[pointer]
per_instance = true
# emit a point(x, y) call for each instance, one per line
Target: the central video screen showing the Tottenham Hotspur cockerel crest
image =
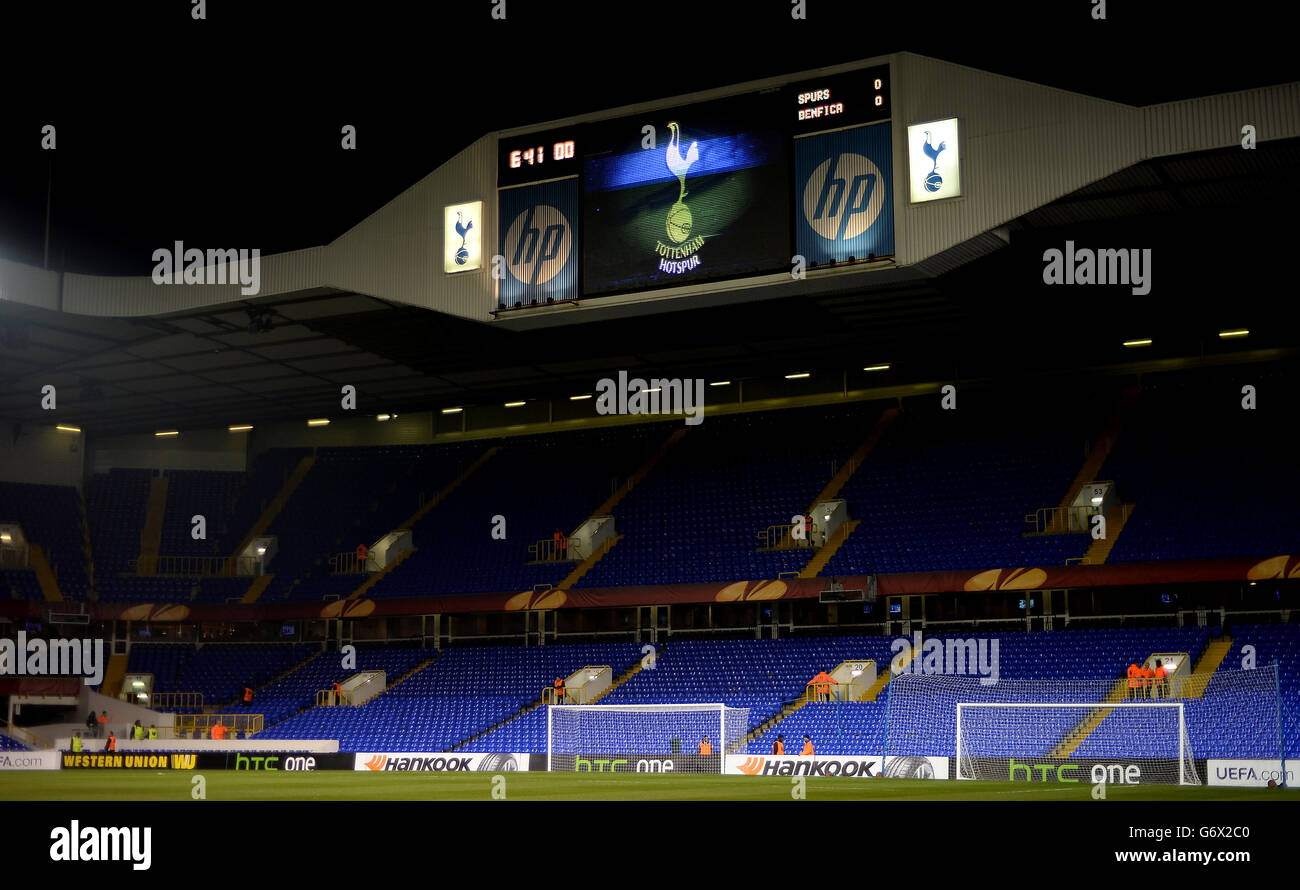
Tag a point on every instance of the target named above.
point(687, 196)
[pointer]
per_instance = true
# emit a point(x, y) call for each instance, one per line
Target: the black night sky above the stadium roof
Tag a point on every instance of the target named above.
point(227, 132)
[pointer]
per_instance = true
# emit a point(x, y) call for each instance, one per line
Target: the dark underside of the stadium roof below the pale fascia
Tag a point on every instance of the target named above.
point(205, 368)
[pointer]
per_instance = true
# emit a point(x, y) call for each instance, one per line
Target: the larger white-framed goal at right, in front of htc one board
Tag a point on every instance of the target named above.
point(1145, 741)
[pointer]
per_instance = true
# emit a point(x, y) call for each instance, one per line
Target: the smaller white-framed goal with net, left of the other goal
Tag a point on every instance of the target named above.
point(643, 737)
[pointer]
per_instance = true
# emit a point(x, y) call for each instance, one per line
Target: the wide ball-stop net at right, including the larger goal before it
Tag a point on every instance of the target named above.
point(1087, 732)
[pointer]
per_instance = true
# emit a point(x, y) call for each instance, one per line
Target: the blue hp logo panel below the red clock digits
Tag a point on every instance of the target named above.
point(539, 244)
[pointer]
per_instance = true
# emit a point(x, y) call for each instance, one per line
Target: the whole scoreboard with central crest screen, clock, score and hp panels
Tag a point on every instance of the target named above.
point(720, 190)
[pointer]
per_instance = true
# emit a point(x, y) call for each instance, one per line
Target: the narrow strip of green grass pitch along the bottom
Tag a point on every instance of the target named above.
point(223, 785)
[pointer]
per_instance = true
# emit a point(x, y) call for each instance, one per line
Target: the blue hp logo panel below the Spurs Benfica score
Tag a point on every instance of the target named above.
point(844, 196)
